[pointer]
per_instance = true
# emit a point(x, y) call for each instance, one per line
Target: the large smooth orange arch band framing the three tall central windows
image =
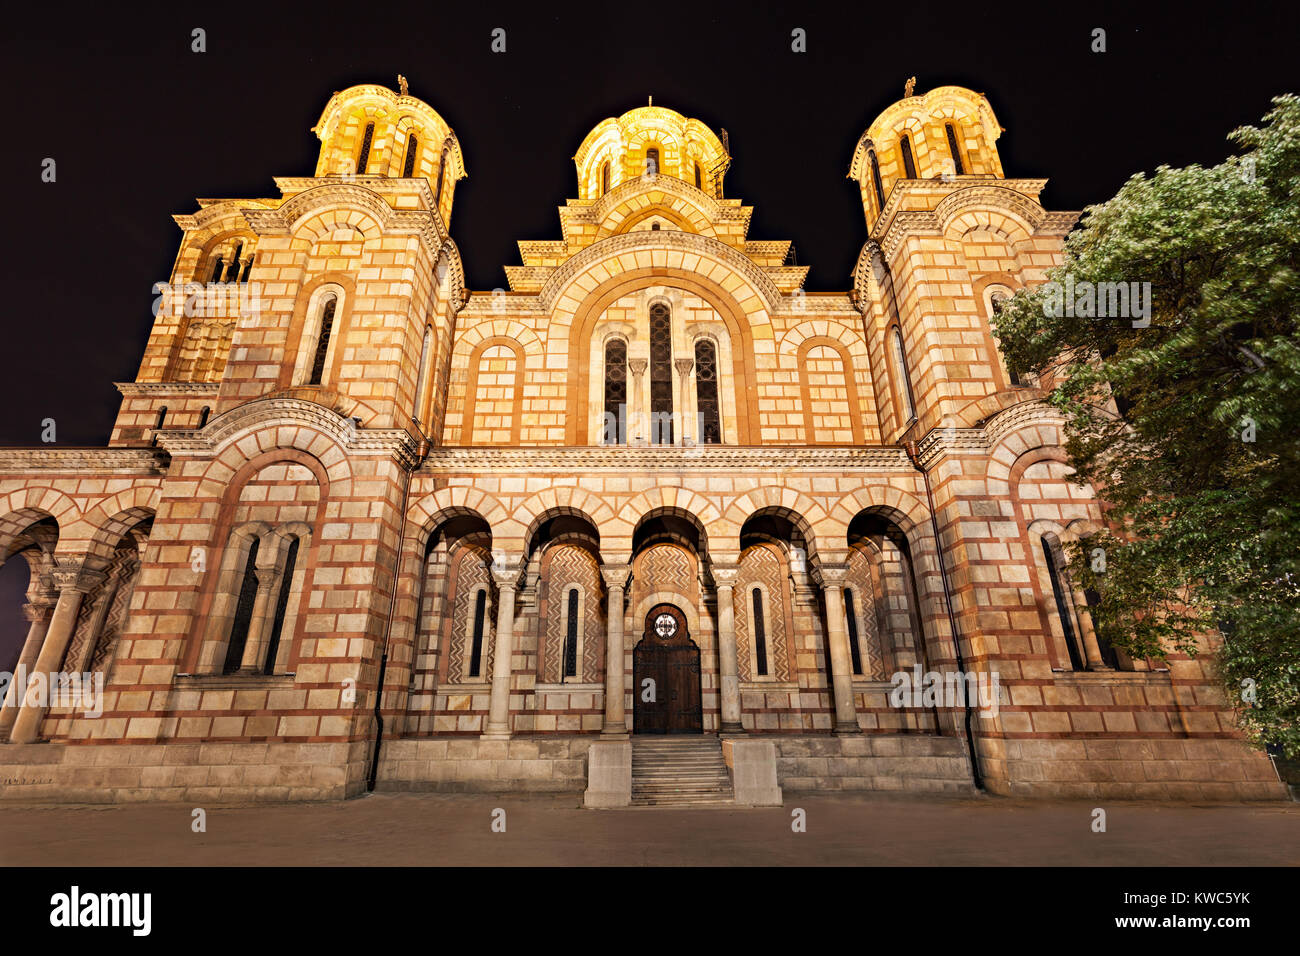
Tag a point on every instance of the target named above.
point(733, 314)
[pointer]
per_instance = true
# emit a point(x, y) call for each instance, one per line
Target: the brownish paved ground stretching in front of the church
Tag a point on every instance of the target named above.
point(432, 829)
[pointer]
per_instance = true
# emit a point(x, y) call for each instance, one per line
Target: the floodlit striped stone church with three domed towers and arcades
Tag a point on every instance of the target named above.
point(652, 525)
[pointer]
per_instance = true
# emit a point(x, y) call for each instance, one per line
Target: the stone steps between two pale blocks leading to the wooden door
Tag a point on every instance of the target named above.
point(681, 772)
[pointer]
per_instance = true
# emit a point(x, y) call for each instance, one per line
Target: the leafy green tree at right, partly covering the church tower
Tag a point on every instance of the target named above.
point(1201, 470)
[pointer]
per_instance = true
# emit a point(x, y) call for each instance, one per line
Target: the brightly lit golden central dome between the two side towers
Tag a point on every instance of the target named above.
point(651, 141)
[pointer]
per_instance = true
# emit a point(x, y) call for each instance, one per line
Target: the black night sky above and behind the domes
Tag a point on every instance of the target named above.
point(140, 127)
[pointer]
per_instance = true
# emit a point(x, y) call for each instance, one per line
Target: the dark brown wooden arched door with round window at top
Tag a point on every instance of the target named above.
point(669, 657)
